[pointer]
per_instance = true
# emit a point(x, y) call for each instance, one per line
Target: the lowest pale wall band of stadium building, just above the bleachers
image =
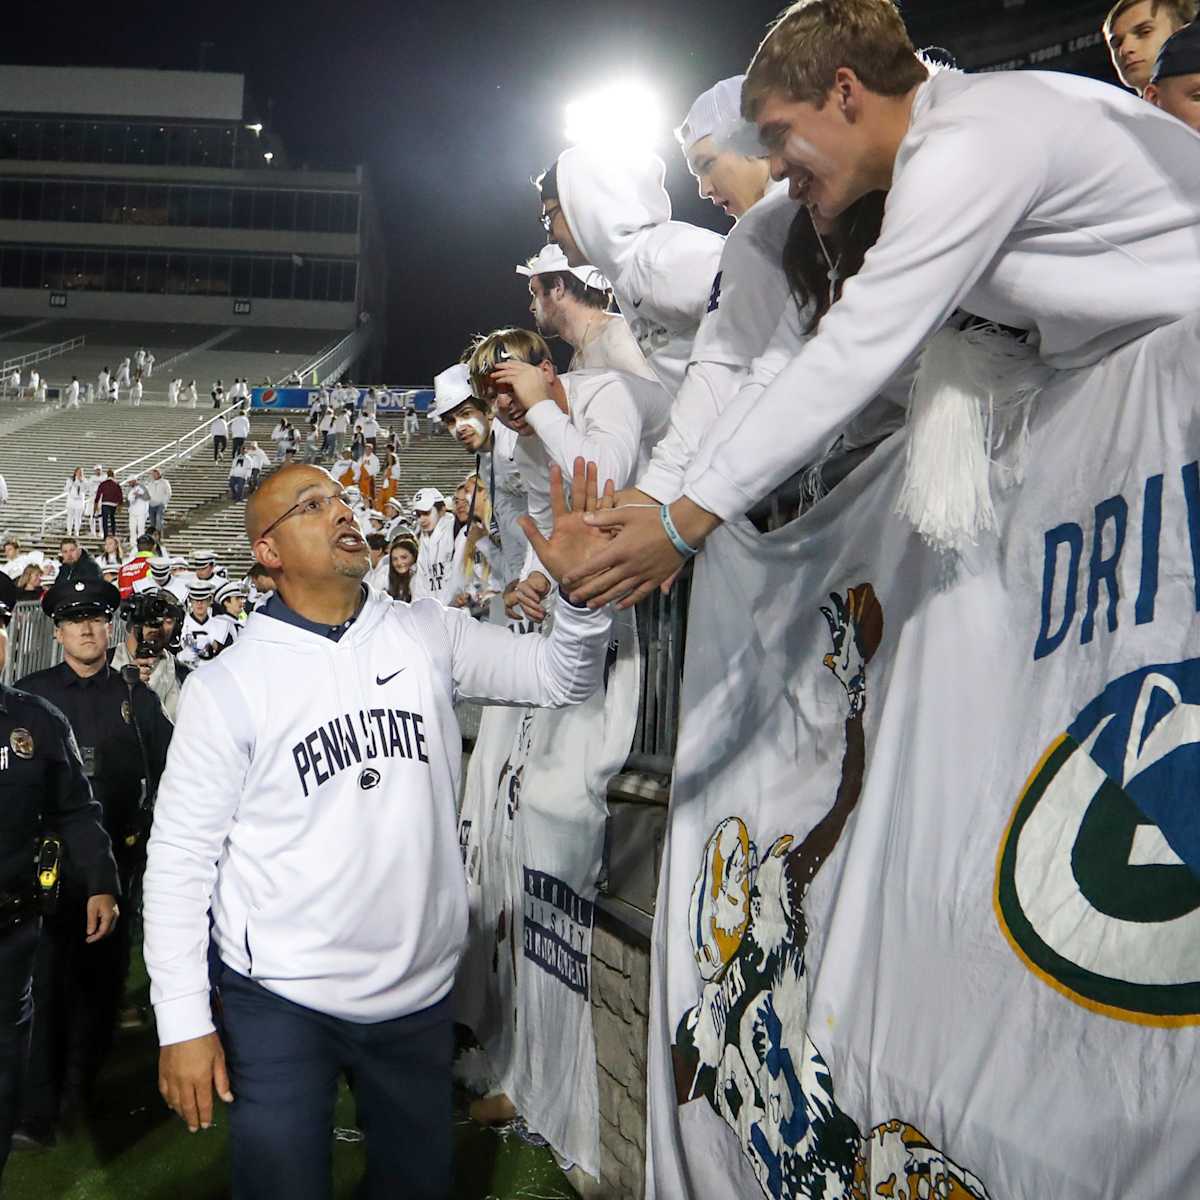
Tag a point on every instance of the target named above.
point(178, 310)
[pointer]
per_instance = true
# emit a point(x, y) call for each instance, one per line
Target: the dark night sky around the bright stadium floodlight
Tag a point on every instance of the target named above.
point(452, 106)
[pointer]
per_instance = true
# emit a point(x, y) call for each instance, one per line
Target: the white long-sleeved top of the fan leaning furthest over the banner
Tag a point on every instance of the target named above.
point(1041, 201)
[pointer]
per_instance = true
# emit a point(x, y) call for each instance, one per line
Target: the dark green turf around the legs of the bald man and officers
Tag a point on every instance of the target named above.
point(133, 1149)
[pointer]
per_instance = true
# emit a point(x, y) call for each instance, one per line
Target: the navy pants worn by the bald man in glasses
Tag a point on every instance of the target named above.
point(285, 1063)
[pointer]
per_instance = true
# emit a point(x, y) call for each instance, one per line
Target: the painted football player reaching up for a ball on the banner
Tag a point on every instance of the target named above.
point(745, 1047)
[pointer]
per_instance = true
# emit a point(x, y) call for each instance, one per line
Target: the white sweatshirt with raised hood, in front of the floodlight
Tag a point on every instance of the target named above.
point(662, 271)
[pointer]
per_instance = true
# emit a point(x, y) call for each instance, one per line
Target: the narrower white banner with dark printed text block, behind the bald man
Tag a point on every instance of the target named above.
point(532, 831)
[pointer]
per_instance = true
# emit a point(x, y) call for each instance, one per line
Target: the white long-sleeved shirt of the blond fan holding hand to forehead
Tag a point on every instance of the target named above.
point(613, 419)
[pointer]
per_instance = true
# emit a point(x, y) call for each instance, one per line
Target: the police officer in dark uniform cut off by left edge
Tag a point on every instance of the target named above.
point(43, 791)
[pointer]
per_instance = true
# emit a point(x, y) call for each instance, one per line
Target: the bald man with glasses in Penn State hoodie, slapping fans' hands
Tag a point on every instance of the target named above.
point(309, 805)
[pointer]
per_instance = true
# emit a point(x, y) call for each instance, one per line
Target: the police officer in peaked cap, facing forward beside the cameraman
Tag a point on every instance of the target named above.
point(123, 736)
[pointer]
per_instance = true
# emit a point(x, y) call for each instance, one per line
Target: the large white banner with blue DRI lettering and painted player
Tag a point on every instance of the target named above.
point(929, 916)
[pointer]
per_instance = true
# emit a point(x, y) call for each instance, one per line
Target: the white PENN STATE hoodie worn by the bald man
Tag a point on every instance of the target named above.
point(309, 799)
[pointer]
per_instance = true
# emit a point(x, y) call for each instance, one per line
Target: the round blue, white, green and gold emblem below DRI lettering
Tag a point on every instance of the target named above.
point(1097, 887)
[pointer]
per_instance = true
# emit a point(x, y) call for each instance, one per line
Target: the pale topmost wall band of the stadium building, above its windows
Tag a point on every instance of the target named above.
point(111, 92)
